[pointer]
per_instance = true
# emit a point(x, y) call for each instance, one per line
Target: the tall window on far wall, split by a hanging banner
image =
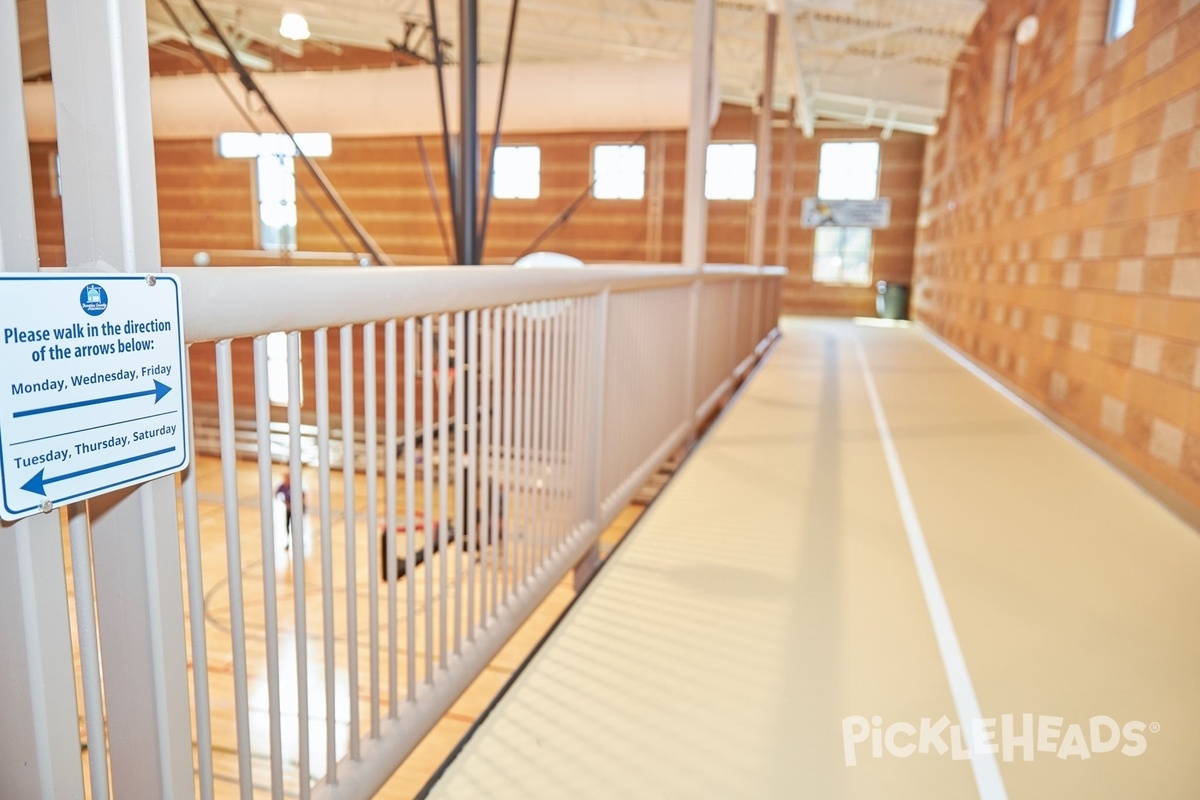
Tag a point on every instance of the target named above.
point(849, 171)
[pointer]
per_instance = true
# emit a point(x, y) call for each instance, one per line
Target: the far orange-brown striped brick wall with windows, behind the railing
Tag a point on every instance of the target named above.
point(208, 203)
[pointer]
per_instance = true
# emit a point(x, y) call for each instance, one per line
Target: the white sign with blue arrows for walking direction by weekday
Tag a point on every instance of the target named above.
point(93, 390)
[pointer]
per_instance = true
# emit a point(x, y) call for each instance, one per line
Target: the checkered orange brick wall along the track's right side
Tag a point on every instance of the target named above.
point(1063, 252)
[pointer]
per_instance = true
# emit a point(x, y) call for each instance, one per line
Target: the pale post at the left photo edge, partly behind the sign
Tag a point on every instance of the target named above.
point(40, 725)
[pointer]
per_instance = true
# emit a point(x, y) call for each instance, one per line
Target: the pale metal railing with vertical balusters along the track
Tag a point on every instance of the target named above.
point(508, 414)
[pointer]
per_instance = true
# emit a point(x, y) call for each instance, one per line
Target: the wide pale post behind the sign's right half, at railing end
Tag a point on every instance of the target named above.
point(99, 57)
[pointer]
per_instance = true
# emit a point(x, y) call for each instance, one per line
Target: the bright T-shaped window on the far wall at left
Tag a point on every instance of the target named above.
point(275, 179)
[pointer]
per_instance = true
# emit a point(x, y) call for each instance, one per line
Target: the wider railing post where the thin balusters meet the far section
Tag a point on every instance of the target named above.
point(597, 341)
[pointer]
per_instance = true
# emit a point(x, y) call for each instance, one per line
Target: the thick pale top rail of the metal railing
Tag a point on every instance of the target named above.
point(236, 302)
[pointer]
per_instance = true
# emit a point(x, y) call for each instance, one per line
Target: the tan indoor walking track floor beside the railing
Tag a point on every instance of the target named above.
point(877, 576)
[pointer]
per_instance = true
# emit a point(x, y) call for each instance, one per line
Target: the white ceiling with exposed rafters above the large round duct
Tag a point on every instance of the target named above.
point(877, 52)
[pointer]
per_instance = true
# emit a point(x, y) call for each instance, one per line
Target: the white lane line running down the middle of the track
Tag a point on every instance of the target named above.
point(983, 765)
